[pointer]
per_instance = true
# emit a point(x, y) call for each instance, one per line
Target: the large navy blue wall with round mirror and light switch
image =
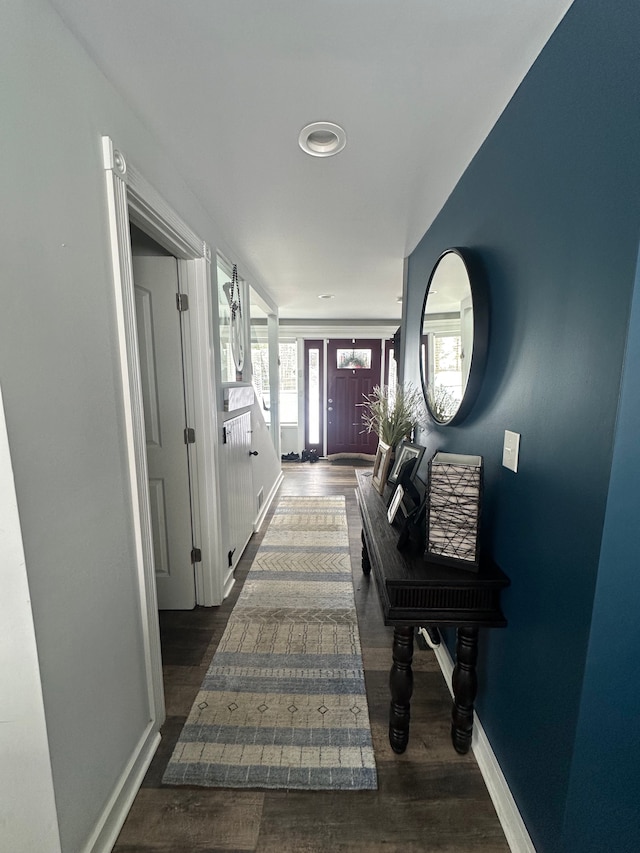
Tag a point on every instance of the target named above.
point(551, 206)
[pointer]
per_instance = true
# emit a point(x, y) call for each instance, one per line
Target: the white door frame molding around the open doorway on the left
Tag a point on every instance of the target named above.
point(131, 198)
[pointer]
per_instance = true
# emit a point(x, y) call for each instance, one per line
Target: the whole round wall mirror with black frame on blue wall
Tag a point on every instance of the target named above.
point(454, 338)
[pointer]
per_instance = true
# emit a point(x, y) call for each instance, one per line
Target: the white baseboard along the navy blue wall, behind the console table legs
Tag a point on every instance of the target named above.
point(512, 824)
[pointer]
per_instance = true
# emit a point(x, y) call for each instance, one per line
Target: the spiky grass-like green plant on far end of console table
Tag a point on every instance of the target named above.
point(392, 416)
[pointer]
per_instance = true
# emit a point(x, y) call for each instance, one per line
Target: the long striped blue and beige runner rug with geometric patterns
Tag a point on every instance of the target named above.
point(283, 704)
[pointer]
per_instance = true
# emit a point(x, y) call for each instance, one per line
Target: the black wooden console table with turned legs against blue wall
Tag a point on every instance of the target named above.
point(414, 592)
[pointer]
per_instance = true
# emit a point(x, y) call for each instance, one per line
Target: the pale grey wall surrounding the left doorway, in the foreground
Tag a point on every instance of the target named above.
point(59, 374)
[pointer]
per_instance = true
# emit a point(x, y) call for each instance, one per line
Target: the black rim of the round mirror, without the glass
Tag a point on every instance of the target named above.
point(480, 303)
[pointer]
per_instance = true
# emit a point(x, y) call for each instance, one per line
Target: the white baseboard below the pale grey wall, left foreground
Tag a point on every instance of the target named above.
point(108, 827)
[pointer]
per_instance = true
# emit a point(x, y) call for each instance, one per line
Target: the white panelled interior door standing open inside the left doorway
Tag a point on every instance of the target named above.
point(161, 368)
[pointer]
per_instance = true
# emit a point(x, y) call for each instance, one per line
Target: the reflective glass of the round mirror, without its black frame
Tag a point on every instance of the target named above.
point(447, 337)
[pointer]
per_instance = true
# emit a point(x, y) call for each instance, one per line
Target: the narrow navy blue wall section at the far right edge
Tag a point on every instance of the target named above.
point(607, 741)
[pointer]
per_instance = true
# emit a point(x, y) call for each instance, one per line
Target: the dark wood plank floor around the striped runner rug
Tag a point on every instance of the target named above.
point(428, 799)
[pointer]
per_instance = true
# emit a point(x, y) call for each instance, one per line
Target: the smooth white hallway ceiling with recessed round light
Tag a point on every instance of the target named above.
point(228, 85)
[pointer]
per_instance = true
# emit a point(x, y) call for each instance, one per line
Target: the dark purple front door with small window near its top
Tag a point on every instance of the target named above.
point(353, 369)
